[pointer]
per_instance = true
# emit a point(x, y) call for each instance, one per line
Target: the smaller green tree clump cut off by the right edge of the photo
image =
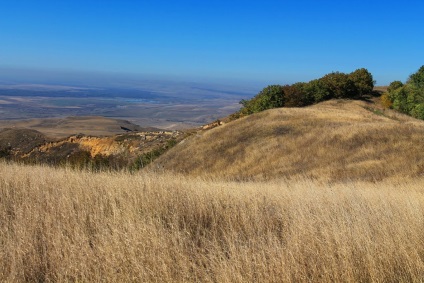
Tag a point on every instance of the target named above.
point(409, 97)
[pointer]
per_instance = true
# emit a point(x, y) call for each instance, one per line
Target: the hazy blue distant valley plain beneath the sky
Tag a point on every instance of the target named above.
point(166, 105)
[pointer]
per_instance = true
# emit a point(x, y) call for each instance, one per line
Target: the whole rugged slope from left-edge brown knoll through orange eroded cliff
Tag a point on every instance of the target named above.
point(112, 152)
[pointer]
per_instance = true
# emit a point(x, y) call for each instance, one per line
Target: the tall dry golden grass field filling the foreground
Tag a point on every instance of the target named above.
point(62, 225)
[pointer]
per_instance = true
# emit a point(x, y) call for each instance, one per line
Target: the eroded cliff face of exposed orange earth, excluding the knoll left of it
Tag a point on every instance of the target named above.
point(82, 149)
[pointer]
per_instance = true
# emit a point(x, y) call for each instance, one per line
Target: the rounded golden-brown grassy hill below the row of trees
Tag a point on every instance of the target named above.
point(334, 140)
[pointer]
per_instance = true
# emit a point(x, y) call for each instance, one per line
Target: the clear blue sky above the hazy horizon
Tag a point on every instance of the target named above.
point(266, 41)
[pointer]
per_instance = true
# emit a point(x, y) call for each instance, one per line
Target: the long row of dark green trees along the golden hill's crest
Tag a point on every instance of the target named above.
point(333, 85)
